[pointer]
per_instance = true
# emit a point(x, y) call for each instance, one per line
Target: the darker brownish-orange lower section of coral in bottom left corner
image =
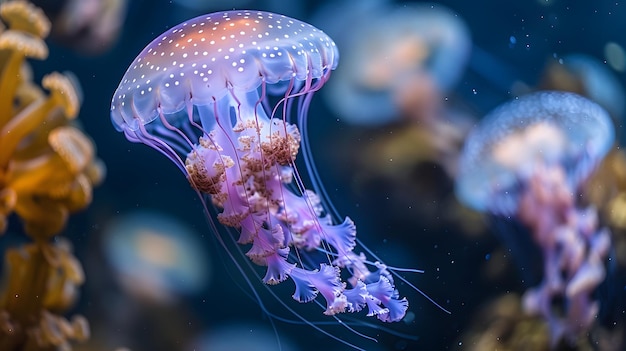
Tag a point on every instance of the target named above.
point(42, 278)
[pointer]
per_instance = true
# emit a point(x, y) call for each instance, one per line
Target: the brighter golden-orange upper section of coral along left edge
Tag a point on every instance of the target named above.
point(47, 167)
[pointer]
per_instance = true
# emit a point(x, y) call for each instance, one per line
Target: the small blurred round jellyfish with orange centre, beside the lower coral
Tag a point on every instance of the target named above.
point(155, 257)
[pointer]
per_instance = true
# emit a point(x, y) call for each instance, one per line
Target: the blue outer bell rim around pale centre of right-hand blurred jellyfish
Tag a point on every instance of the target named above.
point(481, 181)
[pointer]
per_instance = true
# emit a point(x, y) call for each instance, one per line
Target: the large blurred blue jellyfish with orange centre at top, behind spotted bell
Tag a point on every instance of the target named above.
point(401, 61)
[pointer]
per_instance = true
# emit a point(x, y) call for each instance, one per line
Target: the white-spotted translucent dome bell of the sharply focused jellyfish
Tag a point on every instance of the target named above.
point(301, 53)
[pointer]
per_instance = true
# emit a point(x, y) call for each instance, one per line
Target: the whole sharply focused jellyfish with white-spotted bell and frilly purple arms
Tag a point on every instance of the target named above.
point(215, 94)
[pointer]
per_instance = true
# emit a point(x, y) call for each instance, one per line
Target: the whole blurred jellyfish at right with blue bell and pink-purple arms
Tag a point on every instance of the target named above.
point(528, 160)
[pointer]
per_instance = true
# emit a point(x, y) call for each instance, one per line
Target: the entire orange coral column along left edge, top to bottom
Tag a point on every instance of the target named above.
point(47, 170)
